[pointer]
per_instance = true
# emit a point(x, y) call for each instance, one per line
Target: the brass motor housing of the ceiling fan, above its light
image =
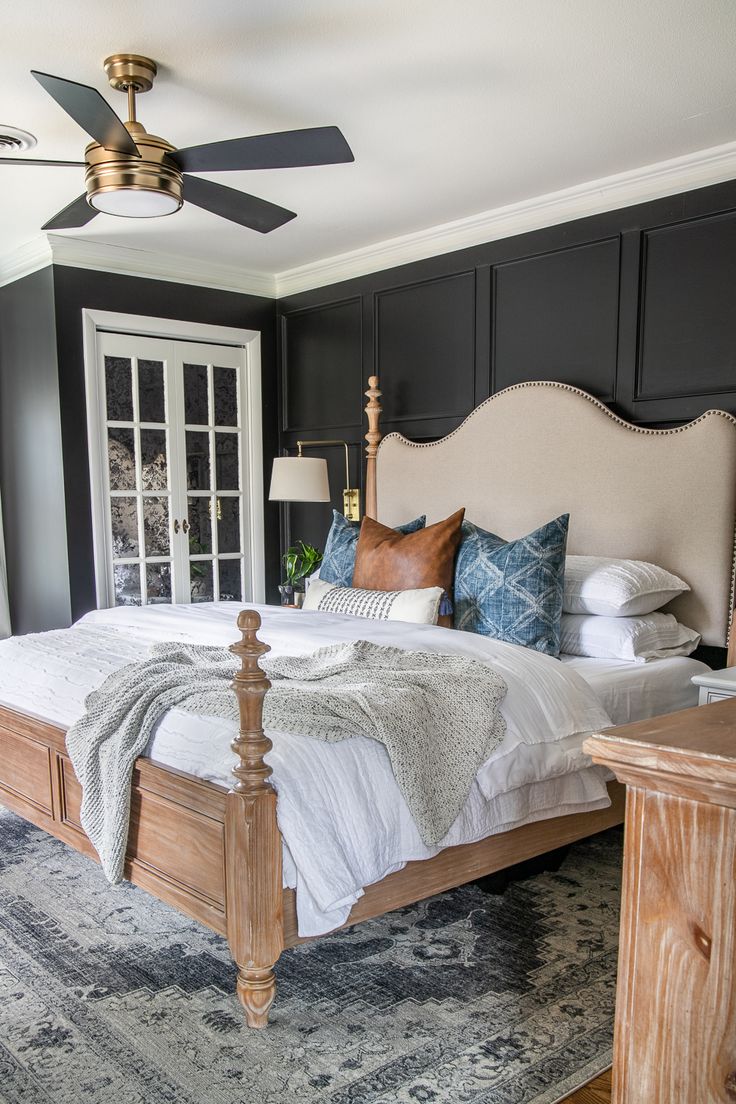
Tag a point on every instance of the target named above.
point(154, 172)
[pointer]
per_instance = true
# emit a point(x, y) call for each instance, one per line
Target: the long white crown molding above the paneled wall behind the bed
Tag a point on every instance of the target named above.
point(624, 189)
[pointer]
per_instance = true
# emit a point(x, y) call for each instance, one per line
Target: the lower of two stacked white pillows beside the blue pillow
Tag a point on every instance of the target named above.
point(656, 636)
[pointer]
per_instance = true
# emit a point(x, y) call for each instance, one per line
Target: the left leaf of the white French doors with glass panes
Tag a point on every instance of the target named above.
point(140, 469)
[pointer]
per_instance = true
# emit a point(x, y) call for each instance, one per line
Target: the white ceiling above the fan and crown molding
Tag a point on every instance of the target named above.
point(452, 109)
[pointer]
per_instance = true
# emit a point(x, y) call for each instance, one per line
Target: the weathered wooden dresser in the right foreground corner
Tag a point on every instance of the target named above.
point(676, 1010)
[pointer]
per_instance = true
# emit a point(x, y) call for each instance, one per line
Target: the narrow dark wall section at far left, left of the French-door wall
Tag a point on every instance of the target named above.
point(31, 476)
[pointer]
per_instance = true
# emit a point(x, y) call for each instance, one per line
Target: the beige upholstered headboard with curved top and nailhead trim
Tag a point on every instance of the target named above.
point(539, 450)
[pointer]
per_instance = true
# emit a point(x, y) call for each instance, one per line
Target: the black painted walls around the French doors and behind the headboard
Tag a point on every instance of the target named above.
point(635, 306)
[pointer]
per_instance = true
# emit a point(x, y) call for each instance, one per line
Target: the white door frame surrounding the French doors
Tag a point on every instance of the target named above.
point(95, 322)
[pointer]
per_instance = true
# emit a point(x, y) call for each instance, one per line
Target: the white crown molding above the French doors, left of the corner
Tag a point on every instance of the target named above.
point(82, 253)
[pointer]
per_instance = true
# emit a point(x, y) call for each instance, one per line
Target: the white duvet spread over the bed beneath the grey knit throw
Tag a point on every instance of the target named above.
point(344, 820)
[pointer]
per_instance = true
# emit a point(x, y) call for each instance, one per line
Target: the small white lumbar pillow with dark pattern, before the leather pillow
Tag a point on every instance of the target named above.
point(421, 608)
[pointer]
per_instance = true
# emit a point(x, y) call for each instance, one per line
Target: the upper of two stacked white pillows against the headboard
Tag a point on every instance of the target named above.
point(617, 588)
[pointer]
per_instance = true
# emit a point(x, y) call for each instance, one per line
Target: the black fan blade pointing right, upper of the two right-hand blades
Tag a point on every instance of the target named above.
point(287, 151)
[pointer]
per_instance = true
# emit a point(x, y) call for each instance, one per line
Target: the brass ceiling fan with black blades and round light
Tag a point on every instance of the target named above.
point(136, 175)
